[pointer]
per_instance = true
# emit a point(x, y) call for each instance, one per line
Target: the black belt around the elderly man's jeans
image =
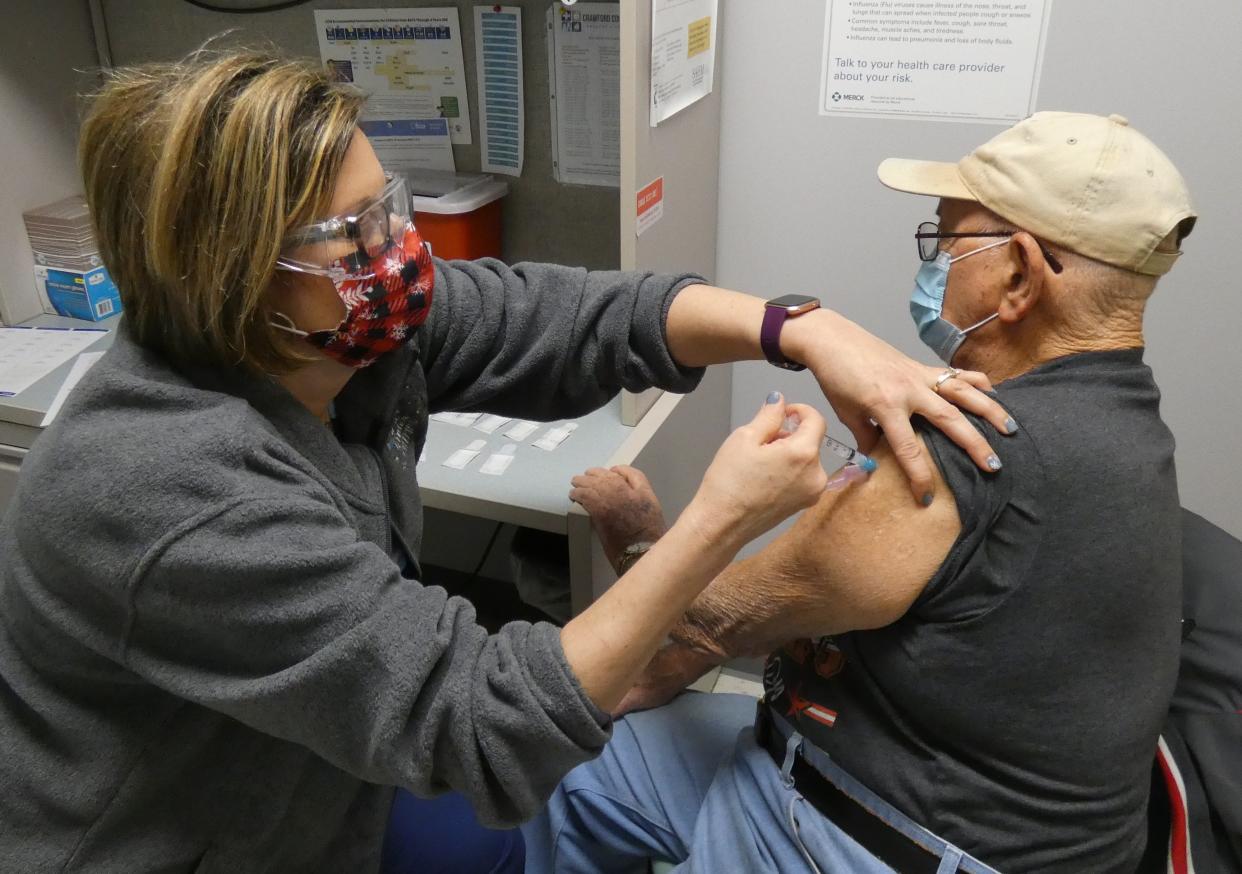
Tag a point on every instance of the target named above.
point(873, 834)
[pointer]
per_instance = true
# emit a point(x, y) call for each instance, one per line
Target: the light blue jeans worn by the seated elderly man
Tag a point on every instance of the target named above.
point(687, 784)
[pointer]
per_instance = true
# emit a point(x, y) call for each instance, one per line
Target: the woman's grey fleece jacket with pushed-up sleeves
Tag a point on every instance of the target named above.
point(209, 660)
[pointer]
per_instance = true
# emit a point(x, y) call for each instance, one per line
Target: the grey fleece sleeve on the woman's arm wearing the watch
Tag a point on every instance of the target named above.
point(546, 342)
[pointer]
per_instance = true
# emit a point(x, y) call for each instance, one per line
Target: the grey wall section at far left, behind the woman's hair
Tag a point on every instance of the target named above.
point(44, 45)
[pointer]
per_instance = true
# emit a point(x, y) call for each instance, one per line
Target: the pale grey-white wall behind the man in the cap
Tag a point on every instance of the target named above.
point(802, 209)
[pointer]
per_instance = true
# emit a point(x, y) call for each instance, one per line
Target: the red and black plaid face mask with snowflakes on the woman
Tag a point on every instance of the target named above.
point(386, 301)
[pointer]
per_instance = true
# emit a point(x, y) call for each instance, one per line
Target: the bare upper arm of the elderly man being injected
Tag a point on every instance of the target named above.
point(865, 554)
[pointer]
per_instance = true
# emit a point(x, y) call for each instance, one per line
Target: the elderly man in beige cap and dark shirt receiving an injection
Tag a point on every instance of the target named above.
point(973, 687)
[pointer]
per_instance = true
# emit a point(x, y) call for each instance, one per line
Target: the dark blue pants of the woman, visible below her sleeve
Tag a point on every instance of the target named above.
point(443, 836)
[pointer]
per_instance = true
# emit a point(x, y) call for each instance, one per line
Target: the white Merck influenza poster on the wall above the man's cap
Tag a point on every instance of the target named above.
point(968, 61)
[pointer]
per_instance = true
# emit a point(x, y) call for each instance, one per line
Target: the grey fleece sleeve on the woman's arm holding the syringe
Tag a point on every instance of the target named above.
point(274, 613)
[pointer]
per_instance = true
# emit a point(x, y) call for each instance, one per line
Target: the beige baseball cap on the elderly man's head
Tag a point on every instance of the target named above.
point(1092, 184)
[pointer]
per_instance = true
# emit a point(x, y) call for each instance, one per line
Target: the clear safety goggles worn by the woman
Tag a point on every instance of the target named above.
point(347, 246)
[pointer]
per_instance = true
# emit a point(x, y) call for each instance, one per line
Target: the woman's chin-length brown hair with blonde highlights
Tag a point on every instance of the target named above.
point(196, 172)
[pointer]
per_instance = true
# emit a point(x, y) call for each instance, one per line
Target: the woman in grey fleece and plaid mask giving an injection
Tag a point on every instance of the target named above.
point(237, 660)
